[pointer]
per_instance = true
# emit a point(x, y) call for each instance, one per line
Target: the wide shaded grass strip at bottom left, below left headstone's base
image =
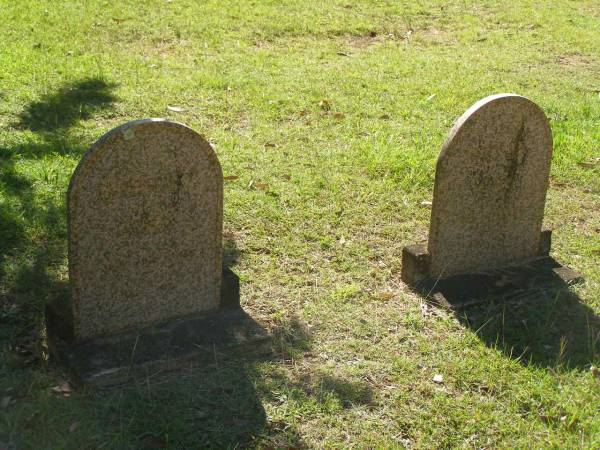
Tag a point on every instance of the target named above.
point(215, 406)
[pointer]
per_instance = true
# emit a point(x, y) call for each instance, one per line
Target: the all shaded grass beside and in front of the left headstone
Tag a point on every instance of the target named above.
point(217, 406)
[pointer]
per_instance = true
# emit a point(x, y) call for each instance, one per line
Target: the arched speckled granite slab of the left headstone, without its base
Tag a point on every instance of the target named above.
point(145, 221)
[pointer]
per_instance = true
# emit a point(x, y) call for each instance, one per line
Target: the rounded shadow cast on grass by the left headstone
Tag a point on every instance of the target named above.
point(215, 406)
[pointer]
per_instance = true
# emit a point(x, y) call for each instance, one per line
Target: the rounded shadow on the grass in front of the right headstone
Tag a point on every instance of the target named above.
point(551, 328)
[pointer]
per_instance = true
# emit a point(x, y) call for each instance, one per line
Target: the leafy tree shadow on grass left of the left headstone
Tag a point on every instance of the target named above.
point(33, 221)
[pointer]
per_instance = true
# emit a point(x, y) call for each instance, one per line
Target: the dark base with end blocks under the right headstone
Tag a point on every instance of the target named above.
point(513, 283)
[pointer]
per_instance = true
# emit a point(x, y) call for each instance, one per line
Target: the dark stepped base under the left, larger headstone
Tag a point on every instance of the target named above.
point(187, 342)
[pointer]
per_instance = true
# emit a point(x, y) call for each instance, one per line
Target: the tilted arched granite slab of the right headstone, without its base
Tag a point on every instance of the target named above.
point(490, 187)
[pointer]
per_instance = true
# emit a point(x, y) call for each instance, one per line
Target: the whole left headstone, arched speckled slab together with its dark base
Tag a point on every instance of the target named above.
point(147, 288)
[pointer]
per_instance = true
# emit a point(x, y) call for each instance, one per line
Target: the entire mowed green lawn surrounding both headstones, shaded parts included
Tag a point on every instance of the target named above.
point(331, 115)
